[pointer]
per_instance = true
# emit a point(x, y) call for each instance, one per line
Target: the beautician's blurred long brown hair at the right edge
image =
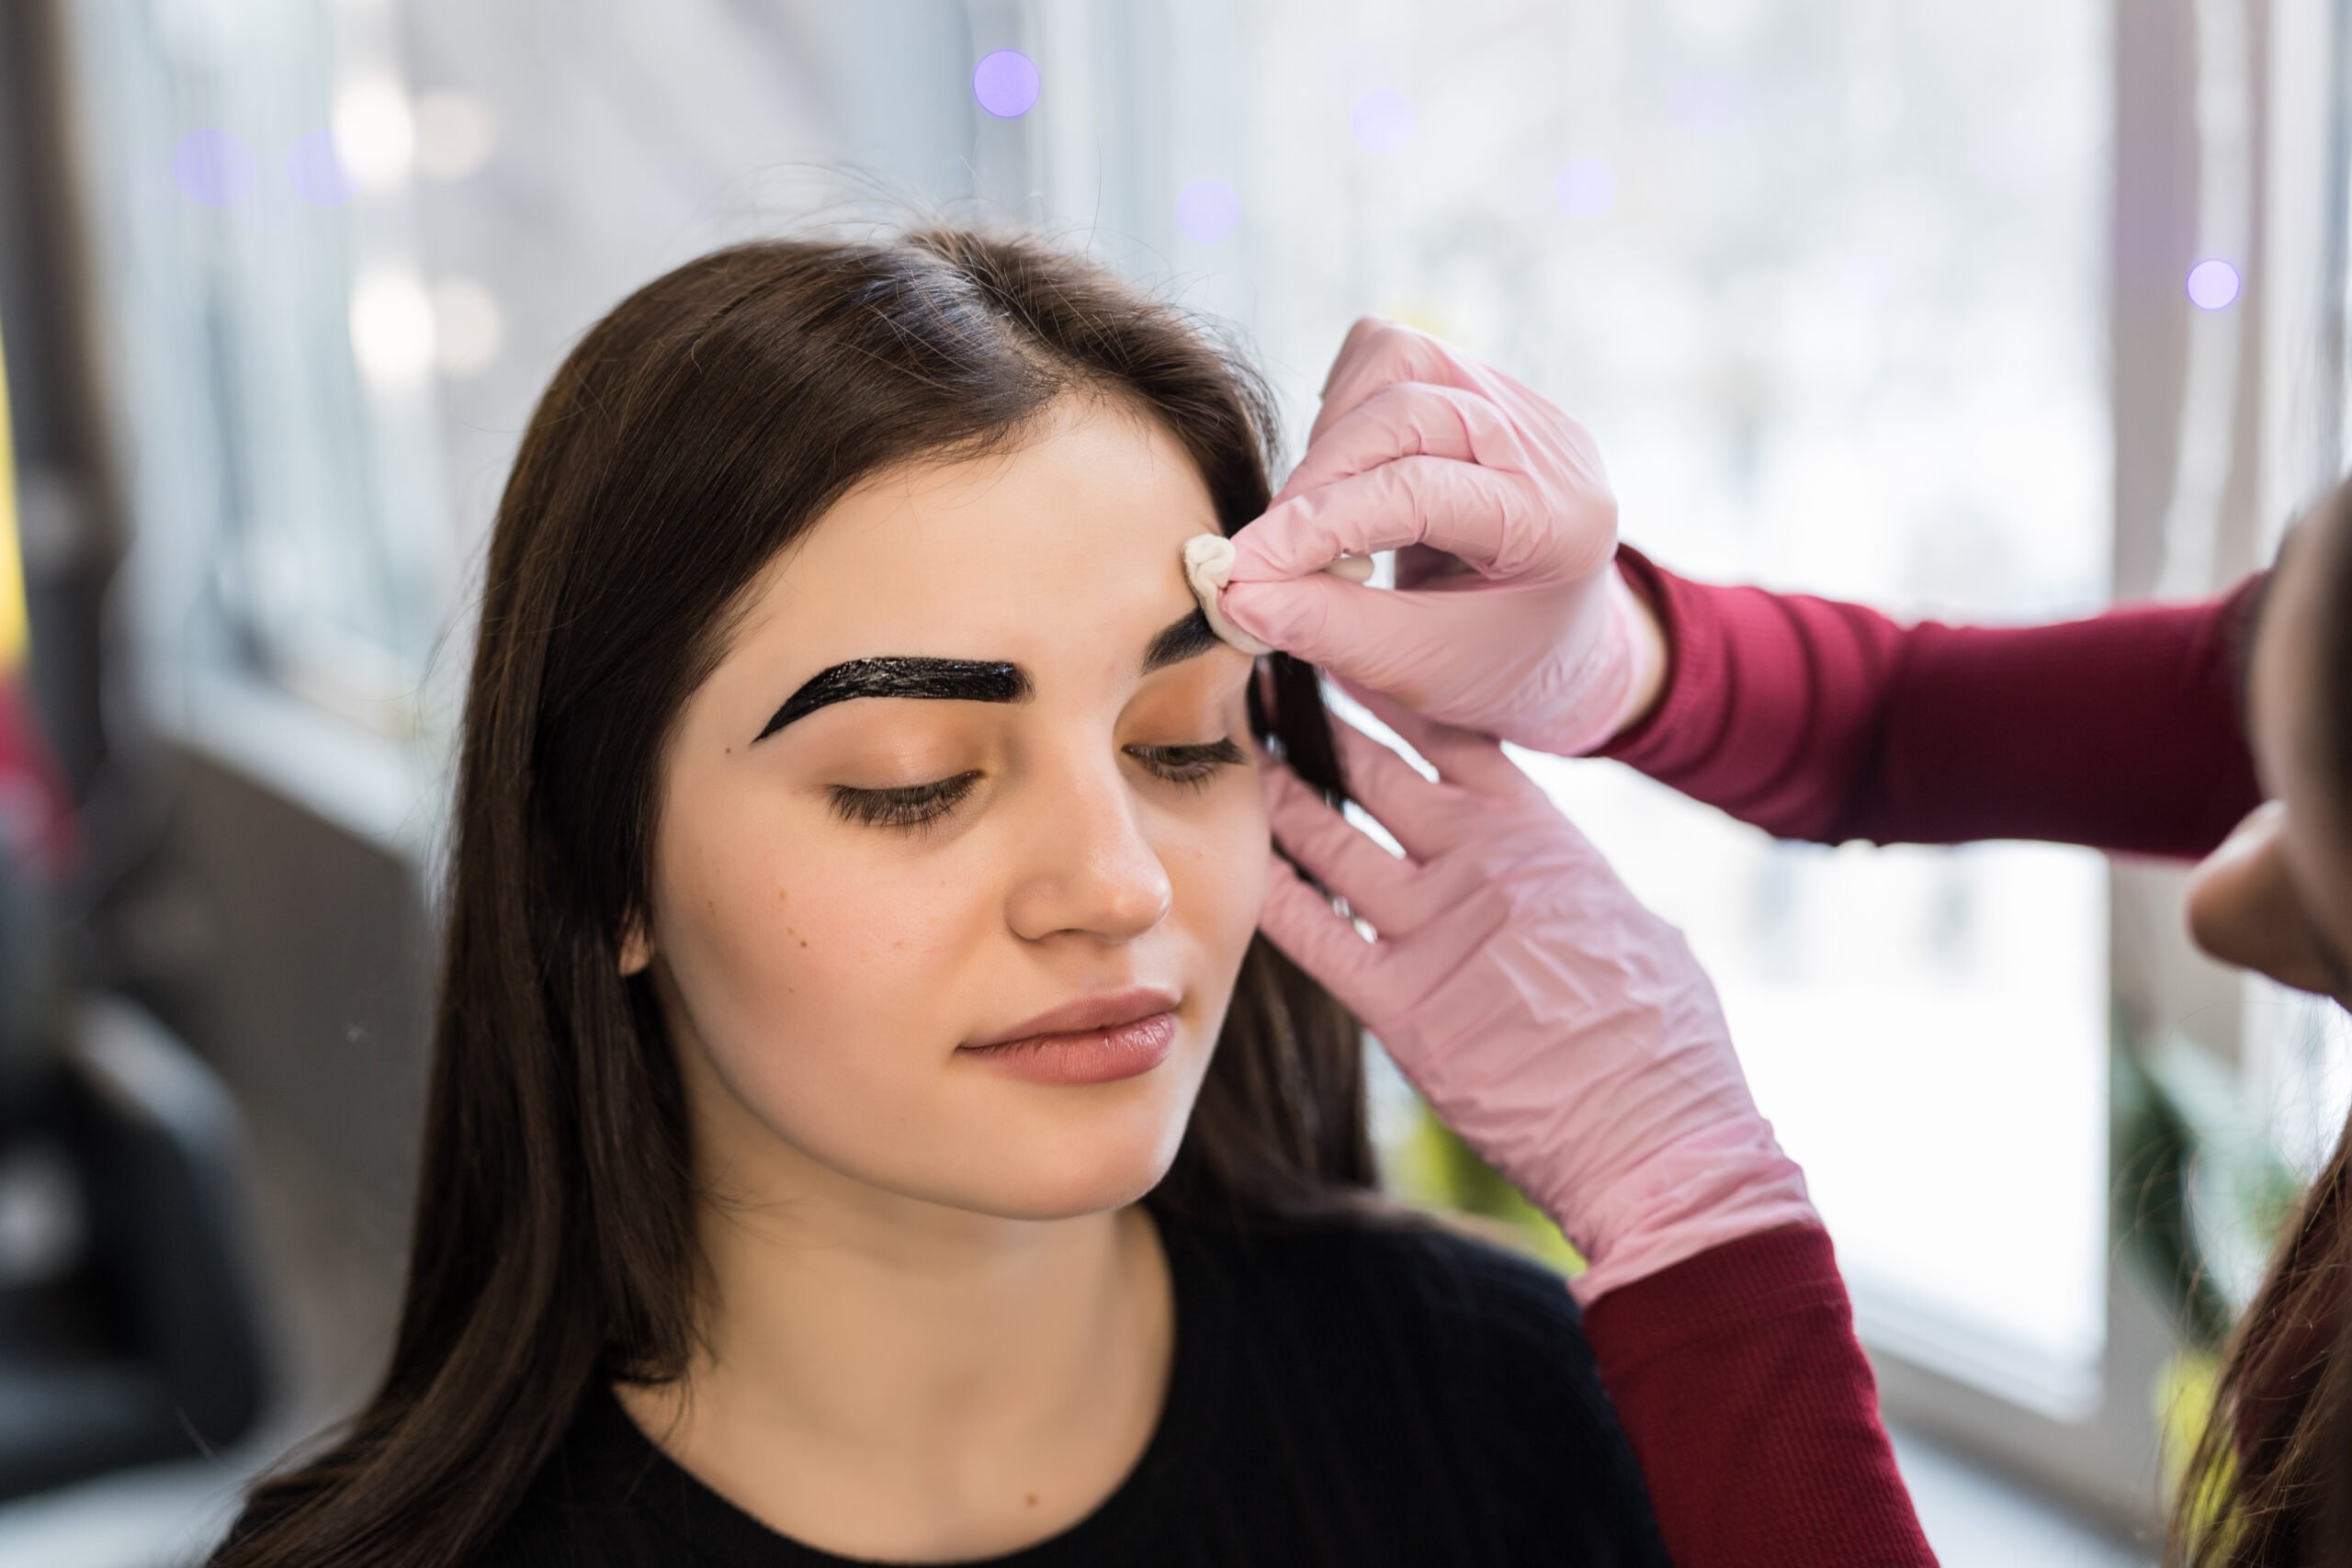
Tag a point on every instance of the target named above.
point(2271, 1477)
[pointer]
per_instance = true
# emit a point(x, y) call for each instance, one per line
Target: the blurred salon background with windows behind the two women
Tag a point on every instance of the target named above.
point(1984, 309)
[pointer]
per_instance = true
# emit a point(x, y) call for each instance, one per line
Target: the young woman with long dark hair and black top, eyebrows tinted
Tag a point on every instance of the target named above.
point(864, 1123)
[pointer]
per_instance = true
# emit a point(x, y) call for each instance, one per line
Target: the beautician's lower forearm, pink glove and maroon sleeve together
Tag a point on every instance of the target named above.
point(1572, 1038)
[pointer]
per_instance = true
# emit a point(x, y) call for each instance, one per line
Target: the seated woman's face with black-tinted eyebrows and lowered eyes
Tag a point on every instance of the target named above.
point(961, 845)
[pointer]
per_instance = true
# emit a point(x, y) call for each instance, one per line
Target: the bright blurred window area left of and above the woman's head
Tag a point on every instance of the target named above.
point(345, 246)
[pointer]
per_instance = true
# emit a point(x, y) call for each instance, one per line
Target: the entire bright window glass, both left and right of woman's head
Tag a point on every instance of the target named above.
point(1826, 279)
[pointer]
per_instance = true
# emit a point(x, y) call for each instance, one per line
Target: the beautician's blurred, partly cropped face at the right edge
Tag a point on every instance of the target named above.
point(2278, 897)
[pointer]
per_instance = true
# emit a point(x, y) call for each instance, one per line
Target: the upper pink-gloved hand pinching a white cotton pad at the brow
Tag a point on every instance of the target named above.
point(1509, 615)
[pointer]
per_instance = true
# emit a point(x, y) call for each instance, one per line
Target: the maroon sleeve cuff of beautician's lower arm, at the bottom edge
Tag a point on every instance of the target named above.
point(1753, 1409)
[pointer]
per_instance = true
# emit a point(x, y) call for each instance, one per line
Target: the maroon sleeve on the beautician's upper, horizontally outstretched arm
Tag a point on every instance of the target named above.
point(1819, 721)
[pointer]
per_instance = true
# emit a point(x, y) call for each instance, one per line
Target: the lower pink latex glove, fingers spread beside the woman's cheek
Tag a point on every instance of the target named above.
point(1544, 1014)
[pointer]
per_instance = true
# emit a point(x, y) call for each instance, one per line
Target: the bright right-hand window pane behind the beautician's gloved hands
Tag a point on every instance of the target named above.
point(1826, 286)
